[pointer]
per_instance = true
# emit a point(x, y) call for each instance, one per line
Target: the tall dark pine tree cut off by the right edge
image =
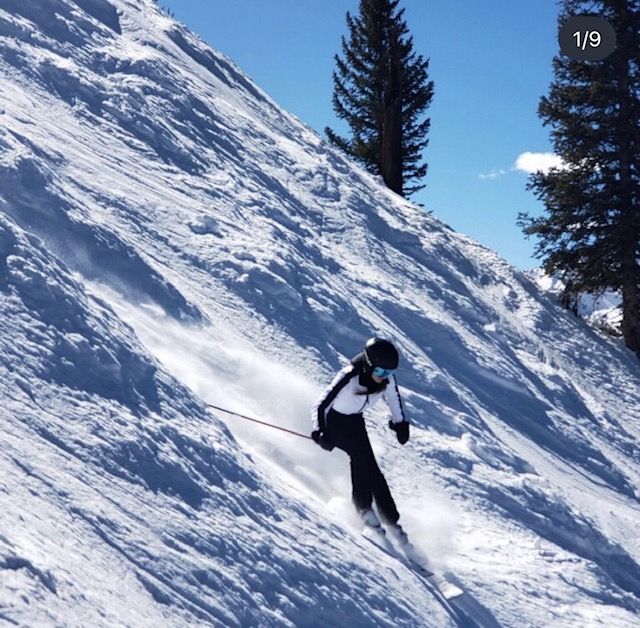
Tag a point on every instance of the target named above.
point(589, 234)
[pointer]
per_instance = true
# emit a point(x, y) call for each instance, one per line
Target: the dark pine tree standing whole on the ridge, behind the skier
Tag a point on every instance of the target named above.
point(382, 91)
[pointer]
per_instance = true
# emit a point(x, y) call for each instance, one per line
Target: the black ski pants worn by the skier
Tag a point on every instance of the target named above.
point(349, 433)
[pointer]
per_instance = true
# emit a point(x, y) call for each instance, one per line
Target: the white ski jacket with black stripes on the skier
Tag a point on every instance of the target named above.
point(346, 395)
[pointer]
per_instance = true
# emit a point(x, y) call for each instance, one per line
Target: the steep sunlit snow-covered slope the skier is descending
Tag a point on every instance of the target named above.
point(171, 238)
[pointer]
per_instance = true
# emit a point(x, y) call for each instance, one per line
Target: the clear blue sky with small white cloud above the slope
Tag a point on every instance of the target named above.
point(490, 62)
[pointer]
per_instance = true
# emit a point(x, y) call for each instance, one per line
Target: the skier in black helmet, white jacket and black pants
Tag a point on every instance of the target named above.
point(338, 421)
